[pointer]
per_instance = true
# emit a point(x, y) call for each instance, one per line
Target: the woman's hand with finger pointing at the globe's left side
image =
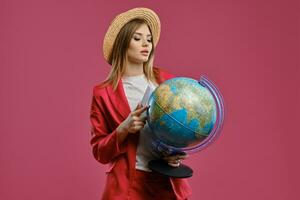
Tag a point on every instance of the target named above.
point(134, 122)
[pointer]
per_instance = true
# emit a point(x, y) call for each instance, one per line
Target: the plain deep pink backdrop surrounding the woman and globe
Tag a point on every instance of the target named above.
point(51, 57)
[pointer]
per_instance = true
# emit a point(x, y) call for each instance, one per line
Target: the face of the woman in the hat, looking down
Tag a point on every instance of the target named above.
point(140, 45)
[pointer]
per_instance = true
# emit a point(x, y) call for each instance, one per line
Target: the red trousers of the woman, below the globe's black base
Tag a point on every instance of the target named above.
point(148, 185)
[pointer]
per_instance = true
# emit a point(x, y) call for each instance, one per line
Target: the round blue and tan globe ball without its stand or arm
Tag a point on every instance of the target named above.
point(182, 113)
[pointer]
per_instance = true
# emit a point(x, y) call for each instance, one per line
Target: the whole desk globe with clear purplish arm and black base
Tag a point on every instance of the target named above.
point(184, 116)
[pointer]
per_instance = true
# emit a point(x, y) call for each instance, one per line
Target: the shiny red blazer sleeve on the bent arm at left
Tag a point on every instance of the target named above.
point(104, 142)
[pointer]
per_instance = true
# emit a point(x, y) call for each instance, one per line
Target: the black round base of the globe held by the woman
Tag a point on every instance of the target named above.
point(162, 167)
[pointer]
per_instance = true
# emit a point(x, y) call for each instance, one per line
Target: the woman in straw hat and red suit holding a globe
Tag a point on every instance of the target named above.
point(118, 126)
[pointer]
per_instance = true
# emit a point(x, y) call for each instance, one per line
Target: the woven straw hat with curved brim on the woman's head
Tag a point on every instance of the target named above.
point(120, 20)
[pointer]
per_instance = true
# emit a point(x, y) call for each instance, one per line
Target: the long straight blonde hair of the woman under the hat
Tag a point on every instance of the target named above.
point(118, 56)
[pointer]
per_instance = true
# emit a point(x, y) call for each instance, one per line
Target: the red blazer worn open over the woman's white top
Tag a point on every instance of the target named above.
point(108, 109)
